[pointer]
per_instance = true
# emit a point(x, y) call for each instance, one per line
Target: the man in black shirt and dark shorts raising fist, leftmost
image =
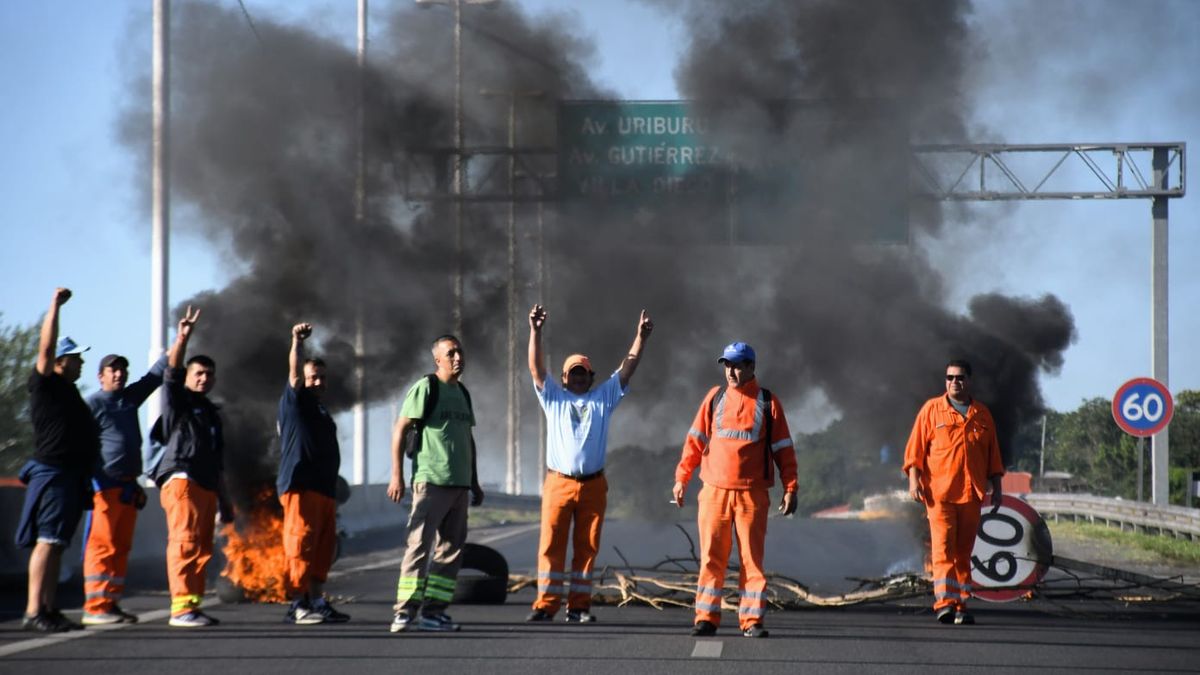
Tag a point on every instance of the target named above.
point(67, 445)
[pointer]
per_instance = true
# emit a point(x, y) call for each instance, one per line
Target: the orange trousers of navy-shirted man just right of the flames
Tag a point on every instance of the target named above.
point(310, 533)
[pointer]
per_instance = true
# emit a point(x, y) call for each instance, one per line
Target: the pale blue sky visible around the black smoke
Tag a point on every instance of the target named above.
point(1052, 73)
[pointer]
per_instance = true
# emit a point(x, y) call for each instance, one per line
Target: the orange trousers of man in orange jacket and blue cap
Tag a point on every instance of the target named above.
point(725, 515)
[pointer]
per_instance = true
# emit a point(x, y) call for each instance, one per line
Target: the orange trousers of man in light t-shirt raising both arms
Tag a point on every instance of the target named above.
point(566, 500)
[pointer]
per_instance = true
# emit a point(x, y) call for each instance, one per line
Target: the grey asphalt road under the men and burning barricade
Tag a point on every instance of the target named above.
point(903, 637)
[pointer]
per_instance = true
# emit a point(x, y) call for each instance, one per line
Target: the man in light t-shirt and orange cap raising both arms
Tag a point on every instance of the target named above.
point(575, 488)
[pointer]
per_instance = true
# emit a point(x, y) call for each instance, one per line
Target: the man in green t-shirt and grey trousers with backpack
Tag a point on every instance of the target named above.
point(443, 474)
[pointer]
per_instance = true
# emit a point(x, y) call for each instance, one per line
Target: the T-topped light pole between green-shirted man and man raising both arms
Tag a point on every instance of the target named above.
point(513, 481)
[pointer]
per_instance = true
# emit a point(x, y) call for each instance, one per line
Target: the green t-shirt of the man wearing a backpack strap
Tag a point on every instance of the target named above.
point(445, 458)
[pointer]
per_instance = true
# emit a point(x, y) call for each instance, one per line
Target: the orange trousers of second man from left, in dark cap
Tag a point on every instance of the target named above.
point(106, 554)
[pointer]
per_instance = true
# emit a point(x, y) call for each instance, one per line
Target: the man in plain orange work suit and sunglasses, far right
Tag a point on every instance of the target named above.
point(952, 456)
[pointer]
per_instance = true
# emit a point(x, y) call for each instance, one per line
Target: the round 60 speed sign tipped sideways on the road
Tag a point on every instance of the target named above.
point(1012, 552)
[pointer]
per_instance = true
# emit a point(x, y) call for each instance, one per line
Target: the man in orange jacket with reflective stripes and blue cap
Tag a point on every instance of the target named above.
point(739, 439)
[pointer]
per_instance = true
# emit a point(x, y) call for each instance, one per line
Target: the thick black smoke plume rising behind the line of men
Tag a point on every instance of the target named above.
point(265, 140)
